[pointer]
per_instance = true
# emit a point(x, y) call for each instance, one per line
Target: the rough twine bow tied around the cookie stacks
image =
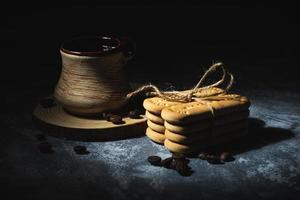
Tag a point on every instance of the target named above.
point(197, 93)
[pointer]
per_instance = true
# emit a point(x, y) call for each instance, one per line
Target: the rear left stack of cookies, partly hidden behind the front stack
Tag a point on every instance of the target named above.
point(156, 128)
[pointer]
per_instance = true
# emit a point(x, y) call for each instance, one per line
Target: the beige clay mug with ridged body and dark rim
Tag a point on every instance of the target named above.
point(92, 78)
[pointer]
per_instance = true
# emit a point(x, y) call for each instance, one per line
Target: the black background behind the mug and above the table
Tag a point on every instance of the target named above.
point(174, 38)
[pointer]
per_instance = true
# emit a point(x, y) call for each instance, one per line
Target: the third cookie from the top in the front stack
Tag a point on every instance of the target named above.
point(217, 131)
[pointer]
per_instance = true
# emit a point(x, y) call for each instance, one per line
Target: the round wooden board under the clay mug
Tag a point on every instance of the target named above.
point(57, 122)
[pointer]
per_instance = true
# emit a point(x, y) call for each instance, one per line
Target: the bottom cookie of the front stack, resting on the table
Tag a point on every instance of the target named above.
point(194, 147)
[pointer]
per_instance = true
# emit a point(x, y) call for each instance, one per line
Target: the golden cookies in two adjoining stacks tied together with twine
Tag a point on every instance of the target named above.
point(187, 127)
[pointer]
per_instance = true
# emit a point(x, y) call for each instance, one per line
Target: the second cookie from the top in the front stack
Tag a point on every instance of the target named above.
point(206, 123)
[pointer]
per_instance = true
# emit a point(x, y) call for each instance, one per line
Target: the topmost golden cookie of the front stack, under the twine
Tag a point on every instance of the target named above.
point(195, 111)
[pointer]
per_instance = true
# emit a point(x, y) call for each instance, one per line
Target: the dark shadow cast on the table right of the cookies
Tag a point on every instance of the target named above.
point(257, 137)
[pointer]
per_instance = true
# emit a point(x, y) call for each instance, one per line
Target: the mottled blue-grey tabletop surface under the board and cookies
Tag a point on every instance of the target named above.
point(266, 163)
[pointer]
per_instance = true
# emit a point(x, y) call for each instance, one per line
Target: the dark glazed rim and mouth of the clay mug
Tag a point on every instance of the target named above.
point(69, 46)
